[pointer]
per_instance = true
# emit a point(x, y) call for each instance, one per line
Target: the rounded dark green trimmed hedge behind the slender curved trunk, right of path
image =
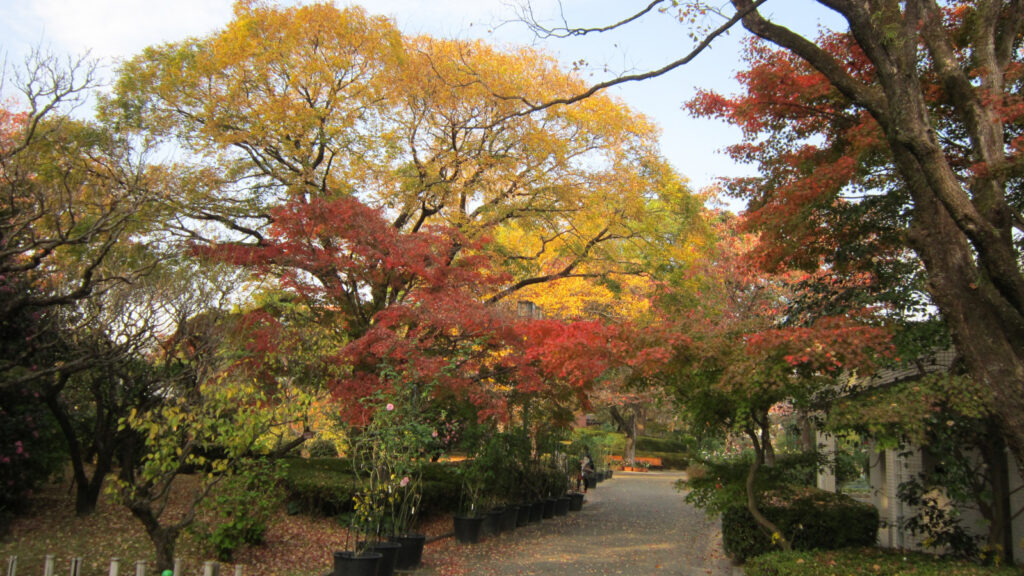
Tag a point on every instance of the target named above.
point(815, 520)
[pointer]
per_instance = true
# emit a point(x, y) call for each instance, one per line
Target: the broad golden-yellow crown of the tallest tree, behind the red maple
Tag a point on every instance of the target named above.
point(339, 104)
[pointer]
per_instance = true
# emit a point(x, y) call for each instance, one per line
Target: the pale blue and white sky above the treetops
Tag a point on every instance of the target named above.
point(118, 29)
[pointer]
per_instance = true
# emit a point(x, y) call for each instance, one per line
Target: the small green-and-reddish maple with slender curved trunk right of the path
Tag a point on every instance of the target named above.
point(751, 348)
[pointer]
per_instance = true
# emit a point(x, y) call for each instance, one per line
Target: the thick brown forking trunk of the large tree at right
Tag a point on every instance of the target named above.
point(962, 228)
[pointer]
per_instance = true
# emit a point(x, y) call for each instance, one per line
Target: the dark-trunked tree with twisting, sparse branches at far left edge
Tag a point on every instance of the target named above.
point(78, 208)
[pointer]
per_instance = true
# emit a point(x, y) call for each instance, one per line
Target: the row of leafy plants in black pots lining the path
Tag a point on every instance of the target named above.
point(508, 478)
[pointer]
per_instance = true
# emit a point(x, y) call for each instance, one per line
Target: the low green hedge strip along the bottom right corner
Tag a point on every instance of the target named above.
point(864, 562)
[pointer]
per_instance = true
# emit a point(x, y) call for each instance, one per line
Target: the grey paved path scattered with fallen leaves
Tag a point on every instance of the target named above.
point(635, 524)
